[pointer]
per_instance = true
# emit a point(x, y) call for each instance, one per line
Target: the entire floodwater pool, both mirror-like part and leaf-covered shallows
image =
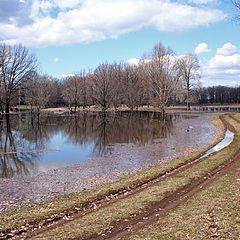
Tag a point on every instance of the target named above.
point(68, 153)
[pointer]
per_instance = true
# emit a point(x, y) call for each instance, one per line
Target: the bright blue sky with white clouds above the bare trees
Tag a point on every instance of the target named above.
point(68, 36)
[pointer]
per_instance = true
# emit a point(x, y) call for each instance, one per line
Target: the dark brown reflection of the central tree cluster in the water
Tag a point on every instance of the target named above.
point(140, 128)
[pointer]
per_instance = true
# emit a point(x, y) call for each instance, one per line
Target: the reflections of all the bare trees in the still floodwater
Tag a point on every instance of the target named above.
point(20, 134)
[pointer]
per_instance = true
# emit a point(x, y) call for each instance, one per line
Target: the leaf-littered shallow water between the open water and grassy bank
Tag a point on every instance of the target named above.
point(191, 134)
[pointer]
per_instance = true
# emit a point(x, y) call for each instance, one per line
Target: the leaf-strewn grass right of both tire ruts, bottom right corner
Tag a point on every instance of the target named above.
point(213, 213)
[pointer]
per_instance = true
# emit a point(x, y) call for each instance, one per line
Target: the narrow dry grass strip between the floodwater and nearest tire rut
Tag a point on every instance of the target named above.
point(64, 204)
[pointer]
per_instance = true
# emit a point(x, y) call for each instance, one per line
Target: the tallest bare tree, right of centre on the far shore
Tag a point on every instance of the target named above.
point(161, 75)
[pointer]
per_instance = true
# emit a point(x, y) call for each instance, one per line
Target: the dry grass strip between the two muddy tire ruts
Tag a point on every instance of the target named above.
point(124, 209)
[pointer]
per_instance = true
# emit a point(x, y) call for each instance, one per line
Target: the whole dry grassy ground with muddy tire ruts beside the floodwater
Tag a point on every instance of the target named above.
point(190, 198)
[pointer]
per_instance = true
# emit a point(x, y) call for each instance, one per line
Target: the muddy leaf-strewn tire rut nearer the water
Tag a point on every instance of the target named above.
point(107, 200)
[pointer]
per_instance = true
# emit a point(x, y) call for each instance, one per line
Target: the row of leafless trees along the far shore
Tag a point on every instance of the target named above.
point(160, 78)
